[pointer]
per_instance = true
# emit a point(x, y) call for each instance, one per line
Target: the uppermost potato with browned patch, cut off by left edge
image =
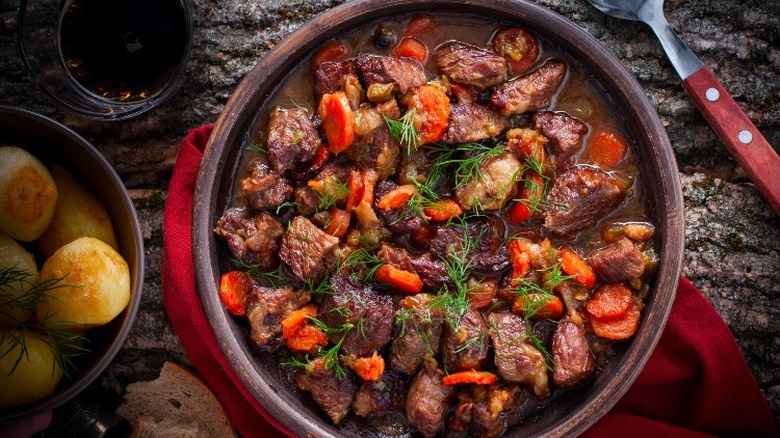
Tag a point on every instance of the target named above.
point(28, 194)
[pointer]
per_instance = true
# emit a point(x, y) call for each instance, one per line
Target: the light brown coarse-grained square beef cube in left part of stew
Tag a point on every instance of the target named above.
point(308, 250)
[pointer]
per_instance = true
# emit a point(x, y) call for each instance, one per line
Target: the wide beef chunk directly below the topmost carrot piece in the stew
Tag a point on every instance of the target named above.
point(405, 73)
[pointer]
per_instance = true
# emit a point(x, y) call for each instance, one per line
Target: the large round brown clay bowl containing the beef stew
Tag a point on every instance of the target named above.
point(565, 416)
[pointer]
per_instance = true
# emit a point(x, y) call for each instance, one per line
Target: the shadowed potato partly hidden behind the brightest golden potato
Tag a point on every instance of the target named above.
point(78, 214)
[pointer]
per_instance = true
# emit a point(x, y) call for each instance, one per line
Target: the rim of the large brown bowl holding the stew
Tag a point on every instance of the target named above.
point(230, 129)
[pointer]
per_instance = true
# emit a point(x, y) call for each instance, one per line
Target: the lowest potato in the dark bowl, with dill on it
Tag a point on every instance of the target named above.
point(35, 376)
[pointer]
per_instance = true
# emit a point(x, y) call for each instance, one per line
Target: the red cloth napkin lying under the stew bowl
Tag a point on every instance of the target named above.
point(695, 384)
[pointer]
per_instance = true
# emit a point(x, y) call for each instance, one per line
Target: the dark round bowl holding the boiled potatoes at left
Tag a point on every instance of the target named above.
point(52, 143)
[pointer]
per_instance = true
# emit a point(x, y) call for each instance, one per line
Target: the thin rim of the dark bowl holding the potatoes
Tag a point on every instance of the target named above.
point(77, 385)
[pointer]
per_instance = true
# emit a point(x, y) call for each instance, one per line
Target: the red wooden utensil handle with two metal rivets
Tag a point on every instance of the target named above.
point(751, 150)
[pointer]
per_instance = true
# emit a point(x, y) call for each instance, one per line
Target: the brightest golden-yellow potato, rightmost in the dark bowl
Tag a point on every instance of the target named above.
point(95, 285)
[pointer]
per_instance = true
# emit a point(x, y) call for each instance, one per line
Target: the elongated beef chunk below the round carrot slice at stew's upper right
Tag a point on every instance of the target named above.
point(530, 92)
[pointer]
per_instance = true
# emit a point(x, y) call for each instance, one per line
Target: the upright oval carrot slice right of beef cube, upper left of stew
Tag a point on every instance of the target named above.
point(338, 120)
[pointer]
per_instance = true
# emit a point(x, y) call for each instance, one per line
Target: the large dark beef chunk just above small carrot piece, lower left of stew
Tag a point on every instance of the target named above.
point(370, 314)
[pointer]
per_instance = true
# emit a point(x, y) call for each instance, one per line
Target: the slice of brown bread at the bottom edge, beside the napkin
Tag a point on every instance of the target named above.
point(178, 400)
